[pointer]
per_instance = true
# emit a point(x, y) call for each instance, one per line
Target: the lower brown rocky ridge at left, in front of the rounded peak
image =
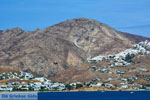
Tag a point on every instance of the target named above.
point(37, 52)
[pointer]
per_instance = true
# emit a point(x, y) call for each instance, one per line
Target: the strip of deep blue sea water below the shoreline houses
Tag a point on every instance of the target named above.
point(108, 95)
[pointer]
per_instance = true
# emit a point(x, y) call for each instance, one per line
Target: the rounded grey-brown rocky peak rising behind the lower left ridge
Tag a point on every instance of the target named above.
point(92, 36)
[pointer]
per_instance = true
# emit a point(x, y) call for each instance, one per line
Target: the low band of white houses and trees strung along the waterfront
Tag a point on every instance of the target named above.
point(42, 83)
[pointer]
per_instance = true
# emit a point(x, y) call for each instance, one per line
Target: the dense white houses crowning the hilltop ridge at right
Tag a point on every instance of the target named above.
point(124, 58)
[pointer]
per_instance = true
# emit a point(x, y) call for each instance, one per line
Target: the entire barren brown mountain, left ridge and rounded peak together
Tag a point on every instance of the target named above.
point(61, 48)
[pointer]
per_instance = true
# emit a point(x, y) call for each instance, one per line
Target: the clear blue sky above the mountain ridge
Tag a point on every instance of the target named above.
point(131, 16)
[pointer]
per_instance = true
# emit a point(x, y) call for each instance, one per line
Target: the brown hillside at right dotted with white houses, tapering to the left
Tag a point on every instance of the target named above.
point(129, 67)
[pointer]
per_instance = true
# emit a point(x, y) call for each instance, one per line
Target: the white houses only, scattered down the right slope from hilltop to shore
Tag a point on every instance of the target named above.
point(122, 59)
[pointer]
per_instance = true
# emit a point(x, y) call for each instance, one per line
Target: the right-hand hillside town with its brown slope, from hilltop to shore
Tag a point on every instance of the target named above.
point(128, 77)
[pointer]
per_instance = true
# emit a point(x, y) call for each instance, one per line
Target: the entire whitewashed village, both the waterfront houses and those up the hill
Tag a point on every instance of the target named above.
point(24, 81)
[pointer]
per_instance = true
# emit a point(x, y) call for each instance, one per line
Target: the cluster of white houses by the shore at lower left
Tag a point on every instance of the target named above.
point(25, 81)
